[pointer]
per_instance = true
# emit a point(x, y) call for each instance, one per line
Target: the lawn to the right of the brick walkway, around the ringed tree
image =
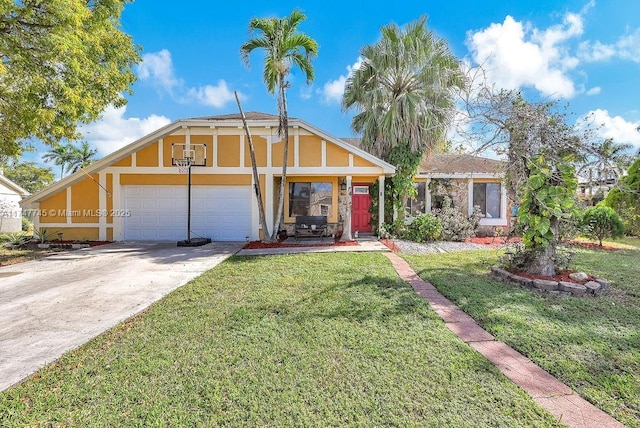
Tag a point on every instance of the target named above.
point(591, 344)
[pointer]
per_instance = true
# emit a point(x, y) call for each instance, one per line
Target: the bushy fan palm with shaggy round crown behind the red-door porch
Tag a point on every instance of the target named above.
point(403, 95)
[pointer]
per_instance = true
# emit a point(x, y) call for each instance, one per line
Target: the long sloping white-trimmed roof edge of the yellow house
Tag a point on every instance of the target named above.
point(227, 120)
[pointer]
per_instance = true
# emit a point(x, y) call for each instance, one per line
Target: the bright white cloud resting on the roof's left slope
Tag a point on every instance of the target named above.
point(113, 130)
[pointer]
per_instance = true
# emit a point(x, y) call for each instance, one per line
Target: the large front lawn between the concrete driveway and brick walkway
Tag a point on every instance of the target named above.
point(304, 340)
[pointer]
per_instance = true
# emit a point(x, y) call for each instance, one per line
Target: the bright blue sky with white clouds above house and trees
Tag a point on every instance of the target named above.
point(584, 53)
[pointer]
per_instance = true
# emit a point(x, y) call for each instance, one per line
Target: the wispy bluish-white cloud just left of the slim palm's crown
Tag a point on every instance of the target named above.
point(157, 69)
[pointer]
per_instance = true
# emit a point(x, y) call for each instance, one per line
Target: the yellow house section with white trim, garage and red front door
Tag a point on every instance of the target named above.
point(137, 192)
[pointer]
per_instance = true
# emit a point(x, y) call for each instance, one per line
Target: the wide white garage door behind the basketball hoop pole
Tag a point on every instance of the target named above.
point(159, 213)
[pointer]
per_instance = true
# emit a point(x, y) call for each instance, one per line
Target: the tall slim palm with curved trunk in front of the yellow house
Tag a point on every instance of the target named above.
point(284, 47)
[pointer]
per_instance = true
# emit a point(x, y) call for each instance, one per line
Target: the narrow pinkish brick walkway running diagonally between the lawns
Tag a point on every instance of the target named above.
point(546, 390)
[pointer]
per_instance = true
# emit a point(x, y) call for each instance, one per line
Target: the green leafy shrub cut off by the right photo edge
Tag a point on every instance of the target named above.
point(625, 199)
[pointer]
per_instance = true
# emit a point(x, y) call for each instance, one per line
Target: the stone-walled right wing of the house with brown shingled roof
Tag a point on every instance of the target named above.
point(469, 181)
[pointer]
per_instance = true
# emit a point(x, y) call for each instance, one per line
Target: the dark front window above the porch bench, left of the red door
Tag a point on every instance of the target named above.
point(310, 199)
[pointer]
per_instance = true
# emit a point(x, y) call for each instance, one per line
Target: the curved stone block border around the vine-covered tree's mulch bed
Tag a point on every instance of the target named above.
point(591, 288)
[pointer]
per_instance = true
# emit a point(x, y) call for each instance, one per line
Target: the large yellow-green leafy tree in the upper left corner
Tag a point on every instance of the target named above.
point(62, 63)
